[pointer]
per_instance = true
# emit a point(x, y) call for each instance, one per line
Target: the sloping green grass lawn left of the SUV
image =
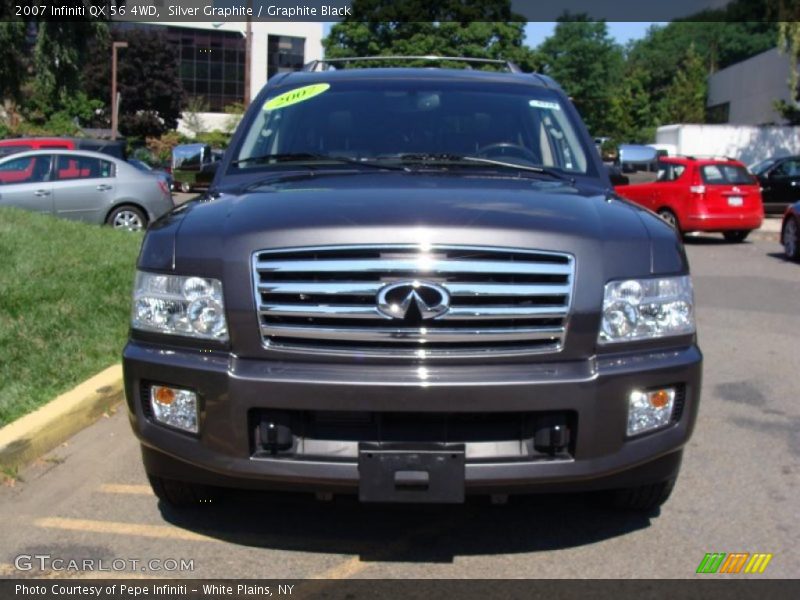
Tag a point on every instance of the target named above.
point(65, 296)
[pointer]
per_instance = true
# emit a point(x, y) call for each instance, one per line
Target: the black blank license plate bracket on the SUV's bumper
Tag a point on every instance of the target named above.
point(428, 473)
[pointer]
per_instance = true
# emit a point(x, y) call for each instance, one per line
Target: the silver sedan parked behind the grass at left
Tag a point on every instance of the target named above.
point(84, 186)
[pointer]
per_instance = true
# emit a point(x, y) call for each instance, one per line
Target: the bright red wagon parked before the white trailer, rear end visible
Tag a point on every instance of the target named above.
point(702, 194)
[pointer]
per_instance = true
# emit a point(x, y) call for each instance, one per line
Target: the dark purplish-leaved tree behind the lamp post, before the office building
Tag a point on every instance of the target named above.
point(148, 82)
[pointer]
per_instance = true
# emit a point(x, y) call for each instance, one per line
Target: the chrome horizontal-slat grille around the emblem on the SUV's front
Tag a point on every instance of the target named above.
point(502, 300)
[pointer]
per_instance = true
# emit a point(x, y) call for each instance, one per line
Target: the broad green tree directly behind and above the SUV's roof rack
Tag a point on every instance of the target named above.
point(445, 28)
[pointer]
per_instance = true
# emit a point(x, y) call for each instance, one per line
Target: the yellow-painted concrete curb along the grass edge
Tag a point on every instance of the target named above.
point(31, 436)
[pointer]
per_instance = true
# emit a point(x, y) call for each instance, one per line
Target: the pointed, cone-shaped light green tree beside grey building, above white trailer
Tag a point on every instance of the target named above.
point(684, 101)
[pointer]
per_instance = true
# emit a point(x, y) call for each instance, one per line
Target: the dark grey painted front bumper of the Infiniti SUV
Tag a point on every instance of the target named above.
point(595, 392)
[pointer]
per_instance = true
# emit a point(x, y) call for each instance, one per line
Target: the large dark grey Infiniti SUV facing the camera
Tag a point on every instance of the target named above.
point(412, 284)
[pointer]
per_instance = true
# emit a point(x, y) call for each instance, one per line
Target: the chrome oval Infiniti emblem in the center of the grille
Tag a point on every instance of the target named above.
point(413, 300)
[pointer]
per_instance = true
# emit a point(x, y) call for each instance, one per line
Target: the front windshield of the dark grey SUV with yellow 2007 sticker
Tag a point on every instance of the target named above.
point(406, 120)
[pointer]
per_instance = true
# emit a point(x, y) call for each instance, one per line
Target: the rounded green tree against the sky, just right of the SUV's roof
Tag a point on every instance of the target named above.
point(583, 58)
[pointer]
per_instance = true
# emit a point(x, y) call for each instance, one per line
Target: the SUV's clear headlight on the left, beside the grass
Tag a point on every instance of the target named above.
point(190, 306)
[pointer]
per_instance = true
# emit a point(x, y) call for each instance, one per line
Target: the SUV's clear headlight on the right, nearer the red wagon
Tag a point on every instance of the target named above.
point(640, 309)
